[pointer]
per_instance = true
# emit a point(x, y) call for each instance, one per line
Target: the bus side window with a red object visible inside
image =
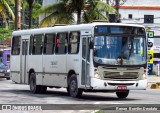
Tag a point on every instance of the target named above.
point(61, 43)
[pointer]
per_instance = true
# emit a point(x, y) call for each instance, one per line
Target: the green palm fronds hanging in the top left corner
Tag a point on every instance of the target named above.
point(6, 11)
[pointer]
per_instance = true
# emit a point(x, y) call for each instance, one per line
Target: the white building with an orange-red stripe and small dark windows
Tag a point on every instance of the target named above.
point(145, 12)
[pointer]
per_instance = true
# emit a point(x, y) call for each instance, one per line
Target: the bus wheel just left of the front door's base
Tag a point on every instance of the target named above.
point(74, 91)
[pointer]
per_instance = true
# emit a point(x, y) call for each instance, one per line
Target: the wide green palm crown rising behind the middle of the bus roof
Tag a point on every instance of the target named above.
point(63, 11)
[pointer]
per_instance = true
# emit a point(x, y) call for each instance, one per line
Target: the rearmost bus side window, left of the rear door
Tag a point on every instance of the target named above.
point(16, 43)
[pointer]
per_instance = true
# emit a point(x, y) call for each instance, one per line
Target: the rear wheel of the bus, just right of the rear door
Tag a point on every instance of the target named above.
point(33, 87)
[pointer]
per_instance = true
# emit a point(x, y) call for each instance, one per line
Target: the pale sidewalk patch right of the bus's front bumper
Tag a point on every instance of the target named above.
point(152, 79)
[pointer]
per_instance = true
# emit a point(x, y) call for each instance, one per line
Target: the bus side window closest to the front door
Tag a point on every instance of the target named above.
point(74, 38)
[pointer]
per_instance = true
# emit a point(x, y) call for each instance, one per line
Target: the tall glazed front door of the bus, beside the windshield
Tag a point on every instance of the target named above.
point(85, 78)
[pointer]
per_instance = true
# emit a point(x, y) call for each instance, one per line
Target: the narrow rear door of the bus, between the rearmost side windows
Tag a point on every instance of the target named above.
point(24, 58)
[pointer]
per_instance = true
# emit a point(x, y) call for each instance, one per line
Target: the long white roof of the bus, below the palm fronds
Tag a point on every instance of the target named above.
point(76, 27)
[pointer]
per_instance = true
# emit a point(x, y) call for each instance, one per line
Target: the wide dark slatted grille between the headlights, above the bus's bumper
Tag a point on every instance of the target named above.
point(117, 75)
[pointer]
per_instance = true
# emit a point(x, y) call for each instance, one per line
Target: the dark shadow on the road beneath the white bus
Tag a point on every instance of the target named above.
point(52, 93)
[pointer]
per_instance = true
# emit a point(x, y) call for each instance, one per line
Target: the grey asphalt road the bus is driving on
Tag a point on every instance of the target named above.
point(11, 93)
